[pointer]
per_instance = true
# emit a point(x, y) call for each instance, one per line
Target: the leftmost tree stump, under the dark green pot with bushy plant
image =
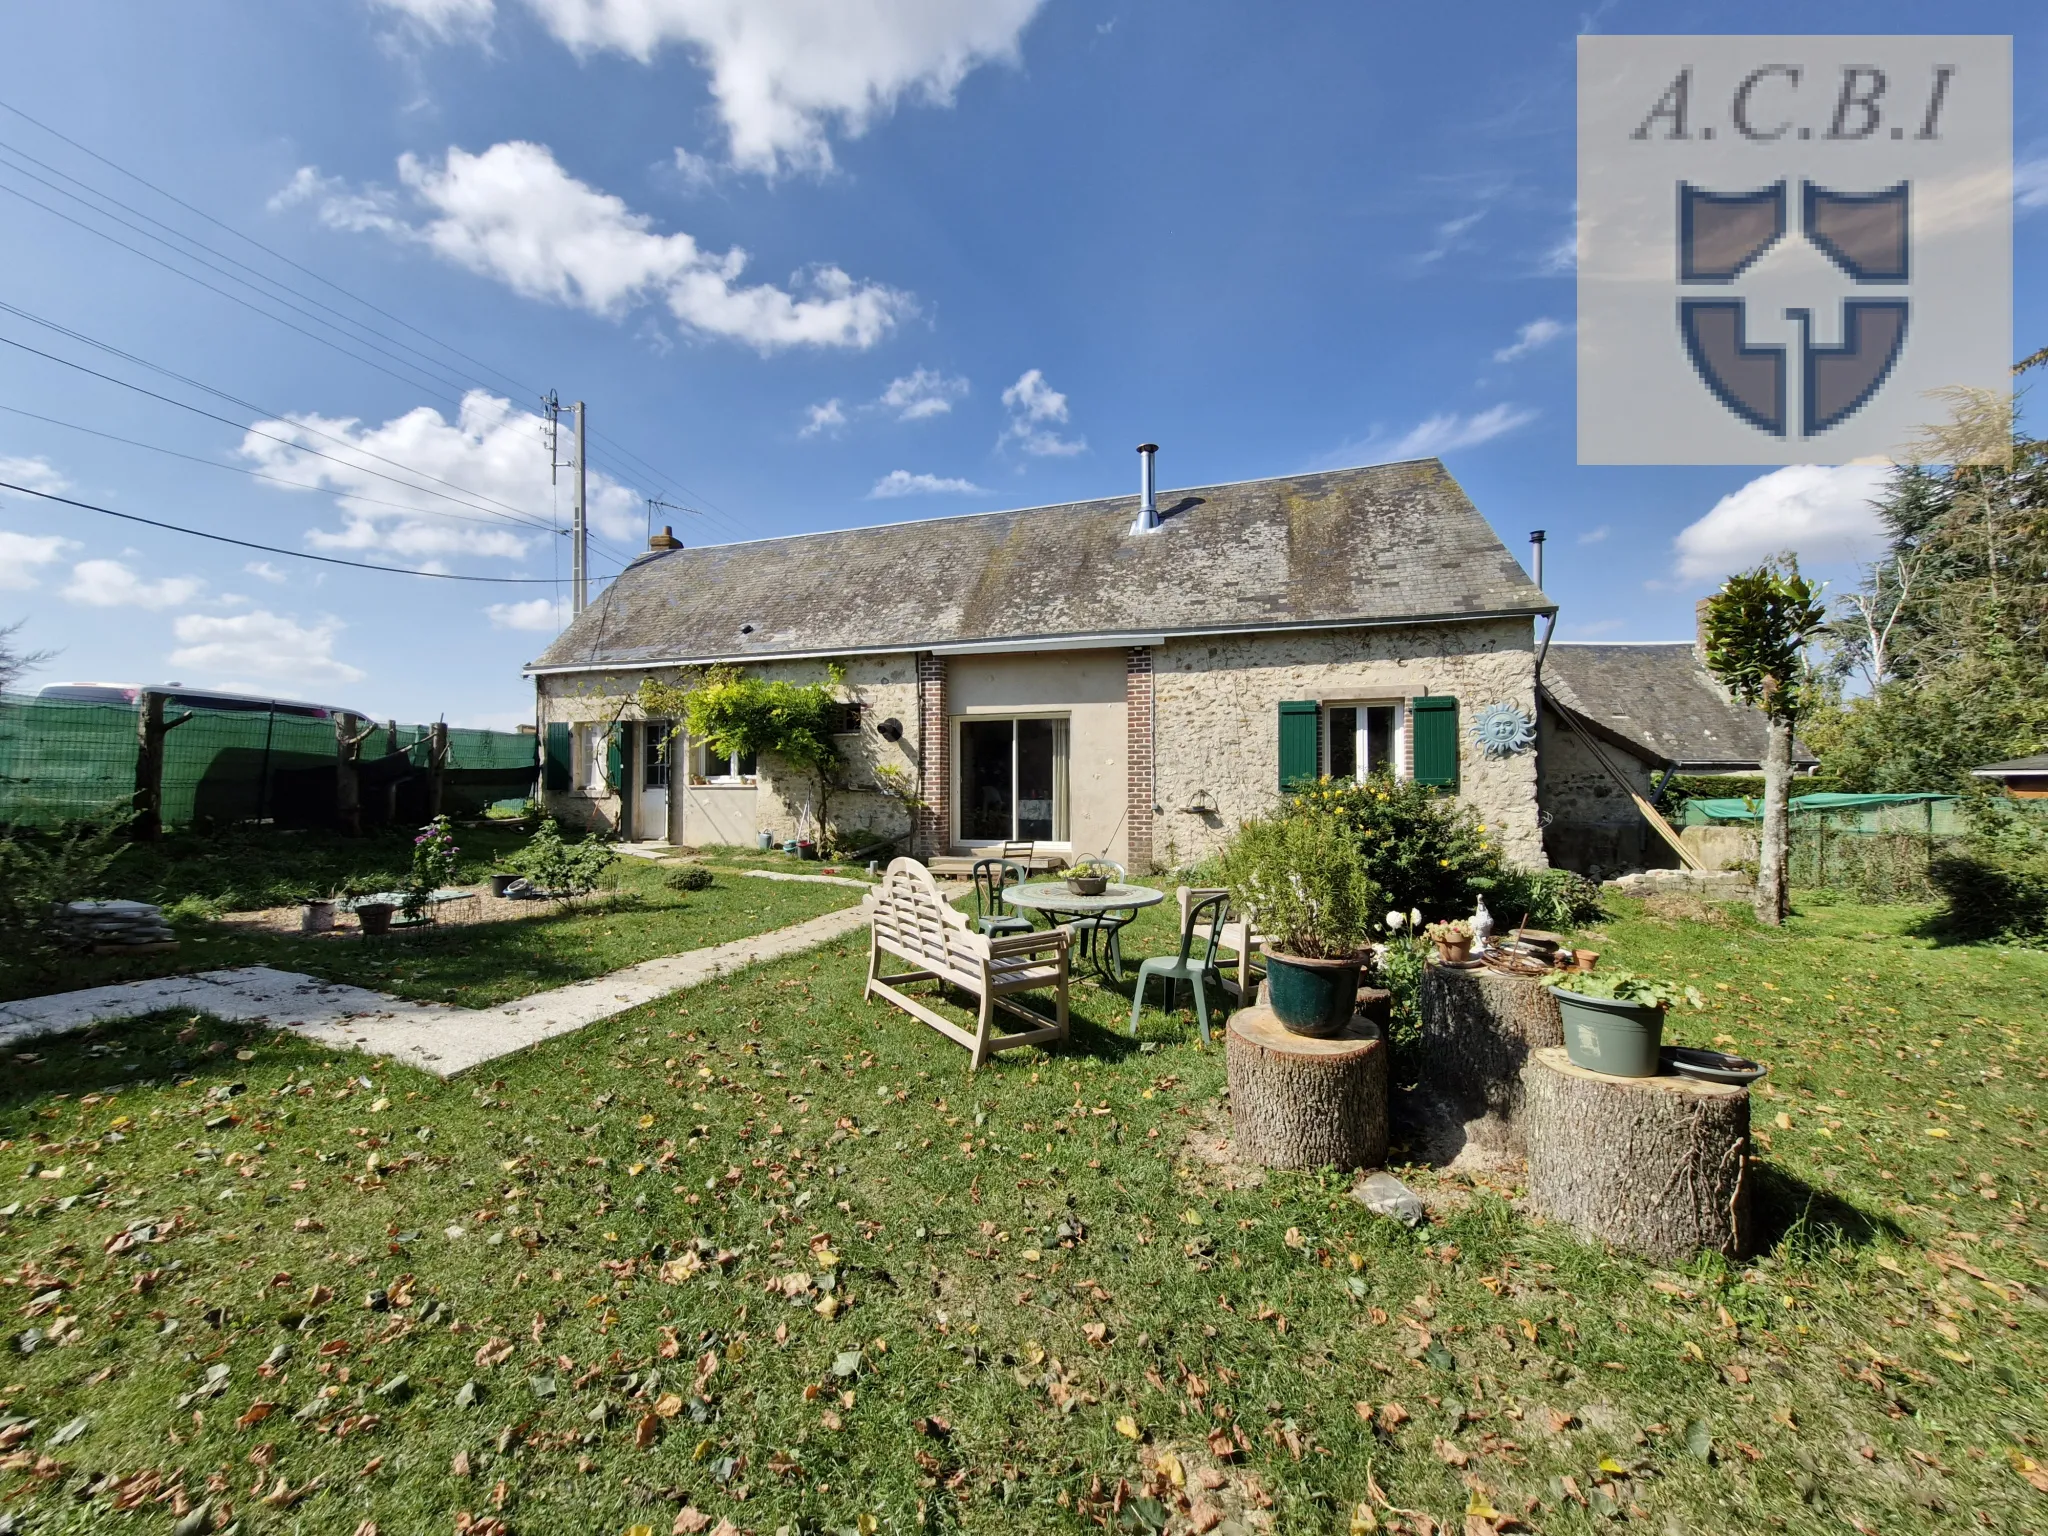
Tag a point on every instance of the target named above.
point(1302, 1103)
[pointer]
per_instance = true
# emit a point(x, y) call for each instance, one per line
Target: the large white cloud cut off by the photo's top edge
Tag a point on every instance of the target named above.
point(781, 75)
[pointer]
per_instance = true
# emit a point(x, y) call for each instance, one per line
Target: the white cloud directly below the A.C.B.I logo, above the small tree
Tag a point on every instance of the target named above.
point(1820, 511)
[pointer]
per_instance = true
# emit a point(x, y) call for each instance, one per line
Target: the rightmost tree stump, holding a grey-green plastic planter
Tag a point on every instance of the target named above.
point(1650, 1164)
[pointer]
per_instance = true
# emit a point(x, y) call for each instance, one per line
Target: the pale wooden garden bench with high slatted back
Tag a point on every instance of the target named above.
point(914, 923)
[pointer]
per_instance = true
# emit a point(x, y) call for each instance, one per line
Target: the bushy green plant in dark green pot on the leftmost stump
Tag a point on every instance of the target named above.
point(1310, 888)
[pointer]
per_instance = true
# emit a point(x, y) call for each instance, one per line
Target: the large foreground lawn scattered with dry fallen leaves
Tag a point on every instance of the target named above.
point(771, 1256)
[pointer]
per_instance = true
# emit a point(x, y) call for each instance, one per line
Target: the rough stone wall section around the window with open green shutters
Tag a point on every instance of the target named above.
point(1220, 703)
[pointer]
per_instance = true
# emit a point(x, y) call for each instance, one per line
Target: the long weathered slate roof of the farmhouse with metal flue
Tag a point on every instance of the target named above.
point(1338, 548)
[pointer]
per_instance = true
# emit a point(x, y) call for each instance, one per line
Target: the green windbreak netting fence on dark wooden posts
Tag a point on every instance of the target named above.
point(62, 761)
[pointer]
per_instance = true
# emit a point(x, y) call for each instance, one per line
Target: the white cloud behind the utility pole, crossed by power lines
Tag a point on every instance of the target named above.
point(490, 452)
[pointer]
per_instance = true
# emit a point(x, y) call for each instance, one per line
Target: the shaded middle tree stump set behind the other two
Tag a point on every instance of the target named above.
point(1478, 1031)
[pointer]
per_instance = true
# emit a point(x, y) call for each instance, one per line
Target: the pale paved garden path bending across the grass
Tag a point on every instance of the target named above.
point(433, 1037)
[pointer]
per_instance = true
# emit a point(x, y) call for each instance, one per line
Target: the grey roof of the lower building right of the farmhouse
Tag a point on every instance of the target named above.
point(1660, 703)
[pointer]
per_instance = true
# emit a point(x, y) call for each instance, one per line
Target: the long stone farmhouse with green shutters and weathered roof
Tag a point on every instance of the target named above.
point(1127, 677)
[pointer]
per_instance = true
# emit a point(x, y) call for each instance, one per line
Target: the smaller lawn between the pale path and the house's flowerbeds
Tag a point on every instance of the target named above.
point(470, 966)
